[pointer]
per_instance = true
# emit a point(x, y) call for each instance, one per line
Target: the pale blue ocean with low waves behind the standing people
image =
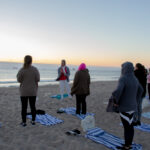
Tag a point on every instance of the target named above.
point(48, 73)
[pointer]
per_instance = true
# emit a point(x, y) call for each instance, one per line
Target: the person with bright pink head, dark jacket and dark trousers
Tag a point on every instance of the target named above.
point(81, 88)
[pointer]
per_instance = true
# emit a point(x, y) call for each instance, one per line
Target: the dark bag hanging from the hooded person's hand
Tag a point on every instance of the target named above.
point(111, 107)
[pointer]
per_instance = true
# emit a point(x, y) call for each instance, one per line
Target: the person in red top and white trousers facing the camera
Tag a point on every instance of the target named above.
point(63, 78)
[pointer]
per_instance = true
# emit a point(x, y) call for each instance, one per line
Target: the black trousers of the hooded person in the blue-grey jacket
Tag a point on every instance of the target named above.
point(128, 132)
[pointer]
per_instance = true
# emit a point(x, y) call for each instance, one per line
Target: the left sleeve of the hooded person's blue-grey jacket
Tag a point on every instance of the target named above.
point(118, 92)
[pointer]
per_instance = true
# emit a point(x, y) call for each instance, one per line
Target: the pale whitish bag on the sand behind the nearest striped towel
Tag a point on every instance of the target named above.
point(88, 123)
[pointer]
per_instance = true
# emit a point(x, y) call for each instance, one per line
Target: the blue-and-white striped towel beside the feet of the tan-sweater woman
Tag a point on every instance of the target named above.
point(46, 119)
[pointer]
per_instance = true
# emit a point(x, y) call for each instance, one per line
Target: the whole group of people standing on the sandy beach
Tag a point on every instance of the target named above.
point(128, 95)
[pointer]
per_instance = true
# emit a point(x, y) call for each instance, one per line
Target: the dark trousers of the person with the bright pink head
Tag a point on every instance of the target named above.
point(80, 102)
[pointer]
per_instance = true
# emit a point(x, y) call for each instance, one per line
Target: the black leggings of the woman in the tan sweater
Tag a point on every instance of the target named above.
point(24, 102)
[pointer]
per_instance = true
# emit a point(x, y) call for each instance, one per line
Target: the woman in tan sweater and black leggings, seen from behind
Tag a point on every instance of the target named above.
point(28, 77)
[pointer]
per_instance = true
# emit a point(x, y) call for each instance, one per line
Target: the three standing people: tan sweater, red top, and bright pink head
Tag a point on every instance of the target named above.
point(29, 76)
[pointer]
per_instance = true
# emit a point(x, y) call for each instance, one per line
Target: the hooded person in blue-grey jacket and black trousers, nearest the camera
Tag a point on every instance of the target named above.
point(127, 97)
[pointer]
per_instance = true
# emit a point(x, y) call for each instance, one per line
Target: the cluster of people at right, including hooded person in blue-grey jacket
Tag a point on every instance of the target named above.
point(128, 97)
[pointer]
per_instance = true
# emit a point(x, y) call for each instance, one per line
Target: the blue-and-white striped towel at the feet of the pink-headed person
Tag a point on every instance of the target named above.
point(72, 111)
